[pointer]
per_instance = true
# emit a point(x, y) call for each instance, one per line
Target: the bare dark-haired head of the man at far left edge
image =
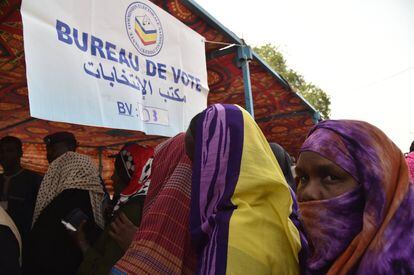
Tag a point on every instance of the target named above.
point(10, 152)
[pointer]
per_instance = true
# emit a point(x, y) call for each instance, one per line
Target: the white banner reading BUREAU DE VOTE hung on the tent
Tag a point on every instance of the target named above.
point(120, 64)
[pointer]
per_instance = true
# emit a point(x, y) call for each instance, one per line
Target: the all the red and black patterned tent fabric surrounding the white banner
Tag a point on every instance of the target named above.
point(283, 116)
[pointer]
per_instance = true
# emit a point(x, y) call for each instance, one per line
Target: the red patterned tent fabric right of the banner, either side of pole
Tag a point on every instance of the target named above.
point(280, 113)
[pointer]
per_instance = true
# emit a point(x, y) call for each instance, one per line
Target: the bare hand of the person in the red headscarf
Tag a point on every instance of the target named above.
point(122, 230)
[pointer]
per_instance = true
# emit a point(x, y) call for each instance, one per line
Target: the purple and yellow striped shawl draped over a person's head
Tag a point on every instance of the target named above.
point(241, 202)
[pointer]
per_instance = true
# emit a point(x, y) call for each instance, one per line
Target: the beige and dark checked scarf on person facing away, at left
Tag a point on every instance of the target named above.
point(71, 171)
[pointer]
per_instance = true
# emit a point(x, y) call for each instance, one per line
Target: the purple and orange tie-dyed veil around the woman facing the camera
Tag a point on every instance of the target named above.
point(376, 220)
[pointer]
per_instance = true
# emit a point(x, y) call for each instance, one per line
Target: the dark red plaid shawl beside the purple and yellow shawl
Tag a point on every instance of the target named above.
point(162, 244)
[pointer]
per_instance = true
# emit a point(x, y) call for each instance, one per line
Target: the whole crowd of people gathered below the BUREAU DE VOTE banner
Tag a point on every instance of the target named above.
point(217, 199)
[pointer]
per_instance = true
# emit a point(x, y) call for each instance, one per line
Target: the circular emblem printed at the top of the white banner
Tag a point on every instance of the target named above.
point(144, 28)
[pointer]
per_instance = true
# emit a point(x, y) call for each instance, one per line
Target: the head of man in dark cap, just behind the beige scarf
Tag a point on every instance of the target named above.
point(59, 143)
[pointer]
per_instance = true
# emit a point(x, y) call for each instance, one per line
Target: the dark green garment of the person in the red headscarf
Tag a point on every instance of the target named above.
point(100, 258)
